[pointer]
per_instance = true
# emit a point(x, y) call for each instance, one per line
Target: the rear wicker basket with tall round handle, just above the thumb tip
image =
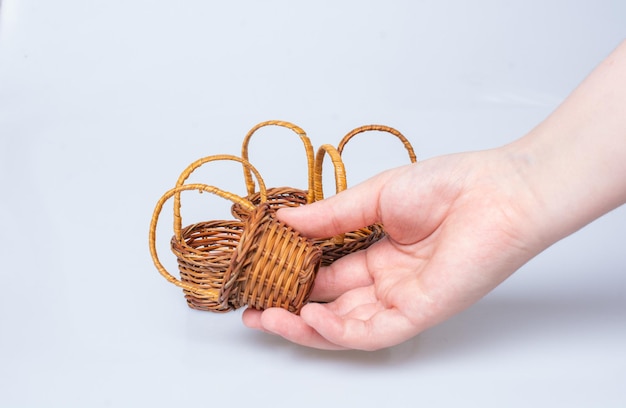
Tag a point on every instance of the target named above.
point(278, 196)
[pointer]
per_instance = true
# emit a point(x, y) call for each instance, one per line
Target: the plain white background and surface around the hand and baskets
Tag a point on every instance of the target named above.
point(103, 103)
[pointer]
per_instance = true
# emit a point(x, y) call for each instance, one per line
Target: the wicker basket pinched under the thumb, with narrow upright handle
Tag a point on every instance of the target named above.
point(343, 244)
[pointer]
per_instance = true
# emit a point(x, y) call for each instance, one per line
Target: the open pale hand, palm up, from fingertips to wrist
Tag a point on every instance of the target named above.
point(456, 227)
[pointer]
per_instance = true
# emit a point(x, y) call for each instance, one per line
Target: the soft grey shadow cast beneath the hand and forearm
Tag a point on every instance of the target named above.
point(498, 324)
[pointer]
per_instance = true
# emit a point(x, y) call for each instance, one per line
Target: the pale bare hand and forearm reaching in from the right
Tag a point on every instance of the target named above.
point(458, 225)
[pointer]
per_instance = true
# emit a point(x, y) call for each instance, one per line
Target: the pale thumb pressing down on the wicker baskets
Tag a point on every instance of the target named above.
point(349, 210)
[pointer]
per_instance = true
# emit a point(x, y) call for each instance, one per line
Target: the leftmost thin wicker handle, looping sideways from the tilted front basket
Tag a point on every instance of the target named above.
point(212, 293)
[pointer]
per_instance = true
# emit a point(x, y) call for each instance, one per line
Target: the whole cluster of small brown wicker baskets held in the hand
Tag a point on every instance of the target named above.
point(255, 260)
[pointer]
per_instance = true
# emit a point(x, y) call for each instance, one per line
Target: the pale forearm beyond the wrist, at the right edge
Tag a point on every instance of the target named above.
point(575, 161)
